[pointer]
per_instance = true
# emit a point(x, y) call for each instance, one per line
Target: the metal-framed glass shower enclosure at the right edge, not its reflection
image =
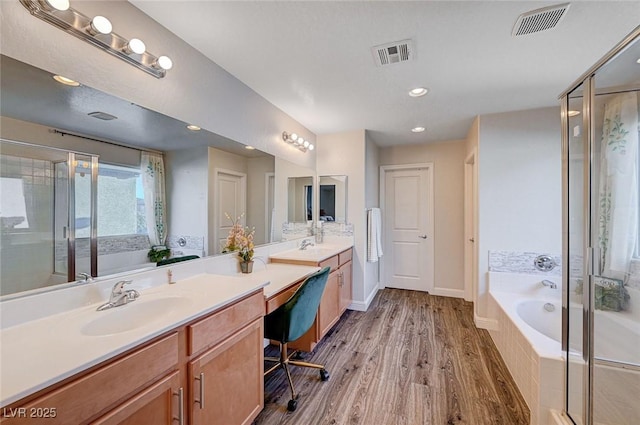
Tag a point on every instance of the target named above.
point(601, 241)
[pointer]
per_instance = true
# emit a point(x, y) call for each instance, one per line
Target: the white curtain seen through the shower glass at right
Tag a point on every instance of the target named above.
point(618, 191)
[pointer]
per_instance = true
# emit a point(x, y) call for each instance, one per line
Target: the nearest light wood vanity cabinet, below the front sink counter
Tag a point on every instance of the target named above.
point(159, 383)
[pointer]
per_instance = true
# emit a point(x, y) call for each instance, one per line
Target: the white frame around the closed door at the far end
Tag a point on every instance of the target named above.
point(384, 169)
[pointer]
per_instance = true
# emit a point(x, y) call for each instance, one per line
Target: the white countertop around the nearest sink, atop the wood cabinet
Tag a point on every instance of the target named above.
point(41, 352)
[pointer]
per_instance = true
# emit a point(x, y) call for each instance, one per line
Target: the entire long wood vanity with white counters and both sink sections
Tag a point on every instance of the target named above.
point(183, 353)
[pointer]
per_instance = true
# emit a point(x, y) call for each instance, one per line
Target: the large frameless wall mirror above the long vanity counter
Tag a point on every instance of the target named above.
point(207, 178)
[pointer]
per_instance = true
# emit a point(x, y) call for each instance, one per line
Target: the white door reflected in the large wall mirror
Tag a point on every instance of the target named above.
point(230, 198)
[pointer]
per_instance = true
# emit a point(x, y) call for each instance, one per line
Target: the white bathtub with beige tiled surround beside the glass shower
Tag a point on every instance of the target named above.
point(528, 339)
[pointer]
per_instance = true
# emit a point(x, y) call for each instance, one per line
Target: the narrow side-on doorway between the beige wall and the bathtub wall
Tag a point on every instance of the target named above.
point(471, 227)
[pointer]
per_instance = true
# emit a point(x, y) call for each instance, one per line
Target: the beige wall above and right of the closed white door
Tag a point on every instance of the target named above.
point(448, 160)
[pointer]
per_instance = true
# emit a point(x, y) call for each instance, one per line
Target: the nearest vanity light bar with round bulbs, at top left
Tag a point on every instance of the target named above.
point(97, 31)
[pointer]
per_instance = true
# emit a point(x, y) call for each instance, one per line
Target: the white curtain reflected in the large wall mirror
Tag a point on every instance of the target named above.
point(152, 167)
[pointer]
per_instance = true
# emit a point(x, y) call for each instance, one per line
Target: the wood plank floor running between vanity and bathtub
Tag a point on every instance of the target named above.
point(411, 359)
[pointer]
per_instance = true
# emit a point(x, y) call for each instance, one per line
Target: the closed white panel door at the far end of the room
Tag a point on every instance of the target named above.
point(408, 228)
